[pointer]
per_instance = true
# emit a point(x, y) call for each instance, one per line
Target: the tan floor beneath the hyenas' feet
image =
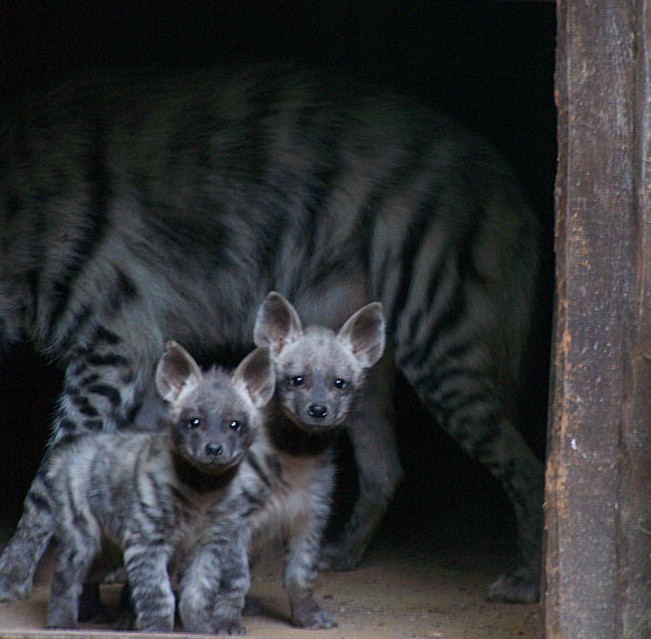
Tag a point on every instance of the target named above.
point(398, 593)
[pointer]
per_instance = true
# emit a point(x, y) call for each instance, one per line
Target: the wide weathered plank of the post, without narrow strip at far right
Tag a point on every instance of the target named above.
point(596, 281)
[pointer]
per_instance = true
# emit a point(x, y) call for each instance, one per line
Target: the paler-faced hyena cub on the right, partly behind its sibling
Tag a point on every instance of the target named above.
point(318, 373)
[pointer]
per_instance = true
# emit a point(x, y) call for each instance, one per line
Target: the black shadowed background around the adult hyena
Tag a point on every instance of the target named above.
point(488, 64)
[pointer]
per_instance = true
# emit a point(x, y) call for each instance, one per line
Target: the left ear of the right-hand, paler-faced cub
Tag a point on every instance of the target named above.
point(276, 324)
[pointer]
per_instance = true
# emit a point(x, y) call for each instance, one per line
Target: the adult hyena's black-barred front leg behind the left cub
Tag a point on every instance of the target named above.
point(104, 386)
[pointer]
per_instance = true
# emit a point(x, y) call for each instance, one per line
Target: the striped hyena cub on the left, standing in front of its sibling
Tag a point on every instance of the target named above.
point(165, 499)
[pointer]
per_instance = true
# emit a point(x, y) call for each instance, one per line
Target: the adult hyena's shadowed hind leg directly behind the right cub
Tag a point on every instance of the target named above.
point(370, 426)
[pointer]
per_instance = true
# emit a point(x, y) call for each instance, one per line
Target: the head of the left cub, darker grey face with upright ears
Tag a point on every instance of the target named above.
point(214, 416)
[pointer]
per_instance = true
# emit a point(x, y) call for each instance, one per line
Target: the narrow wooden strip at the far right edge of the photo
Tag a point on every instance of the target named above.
point(635, 499)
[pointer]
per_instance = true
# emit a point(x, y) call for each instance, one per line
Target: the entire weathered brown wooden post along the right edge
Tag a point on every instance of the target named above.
point(598, 500)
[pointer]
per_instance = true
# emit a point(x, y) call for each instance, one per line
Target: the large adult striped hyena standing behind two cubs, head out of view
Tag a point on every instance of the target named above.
point(138, 210)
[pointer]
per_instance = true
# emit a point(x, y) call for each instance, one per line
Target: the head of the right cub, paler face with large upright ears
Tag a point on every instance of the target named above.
point(318, 370)
